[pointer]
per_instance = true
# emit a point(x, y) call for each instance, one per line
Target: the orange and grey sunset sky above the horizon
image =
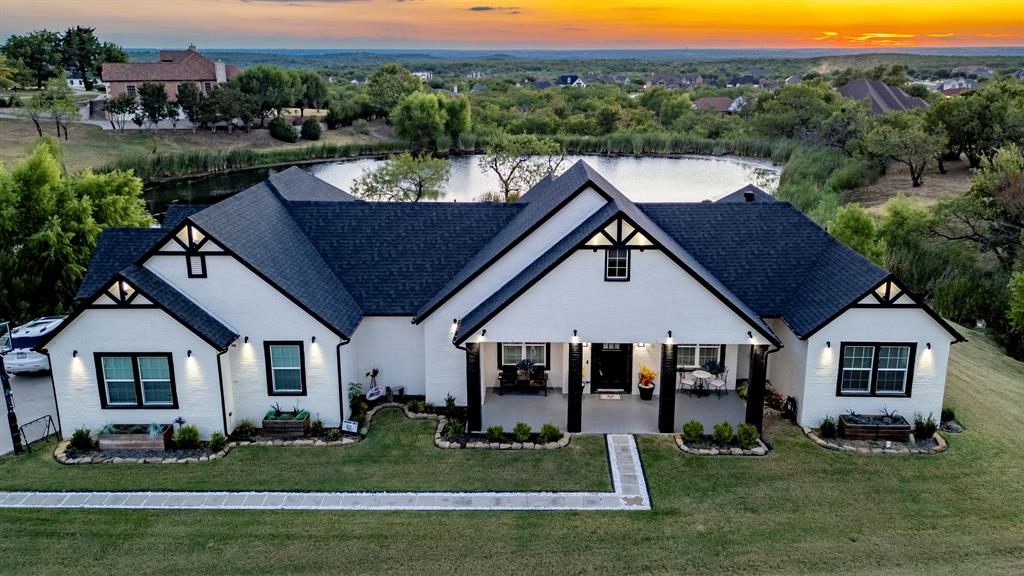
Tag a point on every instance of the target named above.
point(530, 24)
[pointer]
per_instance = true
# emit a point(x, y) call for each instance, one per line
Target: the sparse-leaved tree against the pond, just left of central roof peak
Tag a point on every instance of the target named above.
point(520, 162)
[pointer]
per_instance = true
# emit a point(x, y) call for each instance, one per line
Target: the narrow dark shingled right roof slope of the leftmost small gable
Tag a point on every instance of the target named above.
point(181, 308)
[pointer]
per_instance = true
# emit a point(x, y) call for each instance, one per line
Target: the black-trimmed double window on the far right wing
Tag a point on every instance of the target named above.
point(876, 369)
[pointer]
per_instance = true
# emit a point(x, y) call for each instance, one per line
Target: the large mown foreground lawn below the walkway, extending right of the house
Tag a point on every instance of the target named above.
point(801, 511)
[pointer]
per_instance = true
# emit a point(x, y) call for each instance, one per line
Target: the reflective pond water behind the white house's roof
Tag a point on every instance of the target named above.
point(685, 179)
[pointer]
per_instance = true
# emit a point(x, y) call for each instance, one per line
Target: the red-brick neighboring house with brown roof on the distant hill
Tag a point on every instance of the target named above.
point(175, 68)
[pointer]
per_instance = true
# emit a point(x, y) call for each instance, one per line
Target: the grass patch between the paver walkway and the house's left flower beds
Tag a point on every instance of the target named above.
point(399, 455)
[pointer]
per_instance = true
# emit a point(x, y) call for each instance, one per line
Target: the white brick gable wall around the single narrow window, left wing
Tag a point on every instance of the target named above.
point(255, 309)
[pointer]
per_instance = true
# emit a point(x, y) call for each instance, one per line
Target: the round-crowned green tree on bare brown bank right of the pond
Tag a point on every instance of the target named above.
point(904, 138)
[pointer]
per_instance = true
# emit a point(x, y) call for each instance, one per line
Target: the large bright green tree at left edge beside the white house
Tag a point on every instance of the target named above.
point(50, 228)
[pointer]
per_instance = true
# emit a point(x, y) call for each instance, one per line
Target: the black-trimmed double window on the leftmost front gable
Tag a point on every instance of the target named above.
point(137, 381)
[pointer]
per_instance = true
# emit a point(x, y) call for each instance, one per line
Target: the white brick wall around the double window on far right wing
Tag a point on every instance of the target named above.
point(876, 325)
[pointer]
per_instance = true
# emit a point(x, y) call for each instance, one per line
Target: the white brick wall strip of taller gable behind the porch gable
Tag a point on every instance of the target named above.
point(446, 372)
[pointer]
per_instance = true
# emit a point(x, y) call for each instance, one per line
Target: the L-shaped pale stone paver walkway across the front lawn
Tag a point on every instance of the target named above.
point(630, 493)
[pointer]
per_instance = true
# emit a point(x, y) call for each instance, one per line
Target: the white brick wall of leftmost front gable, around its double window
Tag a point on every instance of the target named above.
point(129, 331)
